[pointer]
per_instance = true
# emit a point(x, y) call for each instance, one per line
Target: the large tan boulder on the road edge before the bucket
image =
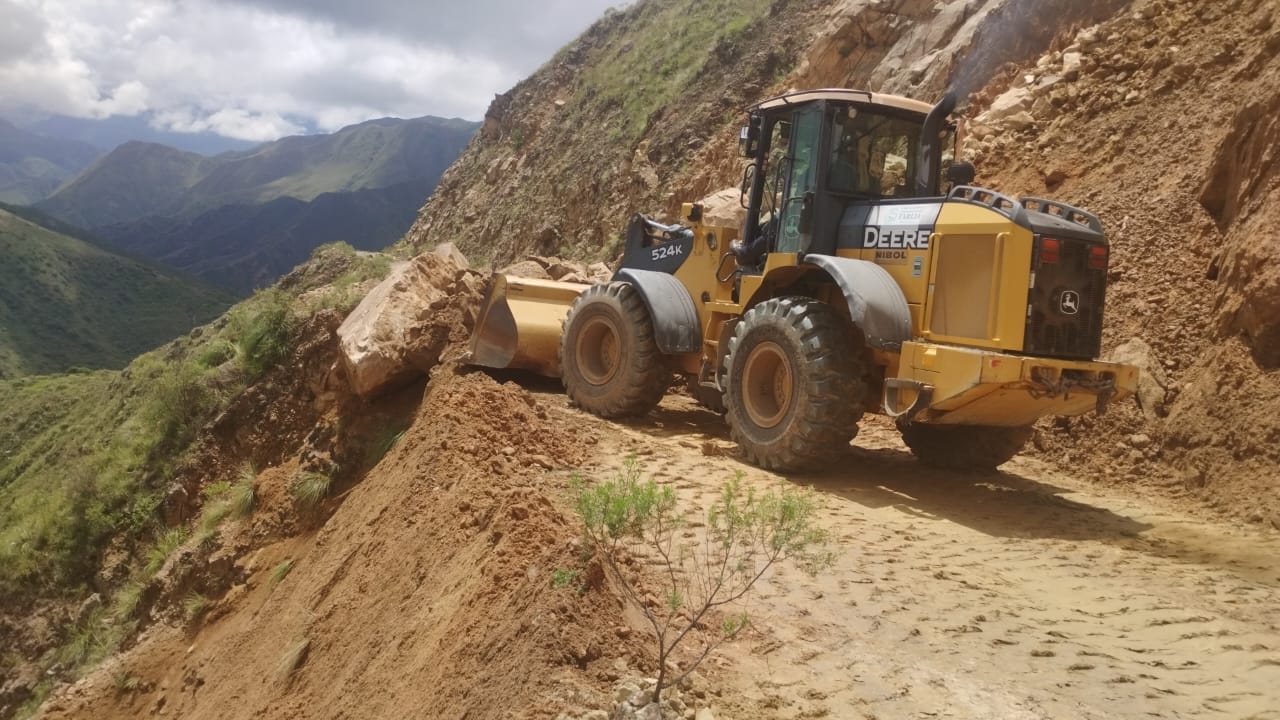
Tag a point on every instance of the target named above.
point(404, 326)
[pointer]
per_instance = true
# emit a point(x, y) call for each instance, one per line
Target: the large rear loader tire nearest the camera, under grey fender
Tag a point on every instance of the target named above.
point(794, 389)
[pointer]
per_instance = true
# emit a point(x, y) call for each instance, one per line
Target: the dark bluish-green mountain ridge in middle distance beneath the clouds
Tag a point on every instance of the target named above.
point(243, 220)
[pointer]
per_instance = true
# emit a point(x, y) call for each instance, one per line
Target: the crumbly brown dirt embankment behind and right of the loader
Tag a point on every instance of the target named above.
point(1159, 122)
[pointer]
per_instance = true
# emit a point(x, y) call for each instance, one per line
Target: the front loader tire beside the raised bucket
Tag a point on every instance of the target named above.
point(610, 361)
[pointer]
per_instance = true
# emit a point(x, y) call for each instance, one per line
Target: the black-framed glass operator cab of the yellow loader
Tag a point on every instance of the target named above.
point(816, 156)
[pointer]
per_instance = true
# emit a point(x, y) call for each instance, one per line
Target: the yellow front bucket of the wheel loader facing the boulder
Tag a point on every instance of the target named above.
point(522, 323)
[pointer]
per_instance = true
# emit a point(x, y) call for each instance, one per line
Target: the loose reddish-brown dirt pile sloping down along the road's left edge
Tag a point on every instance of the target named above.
point(429, 587)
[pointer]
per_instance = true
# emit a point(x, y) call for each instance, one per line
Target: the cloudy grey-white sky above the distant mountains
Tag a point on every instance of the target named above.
point(259, 70)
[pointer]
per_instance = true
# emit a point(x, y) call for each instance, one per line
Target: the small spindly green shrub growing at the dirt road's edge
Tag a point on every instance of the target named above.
point(747, 534)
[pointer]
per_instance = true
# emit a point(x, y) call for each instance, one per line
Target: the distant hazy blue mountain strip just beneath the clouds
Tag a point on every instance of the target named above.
point(117, 130)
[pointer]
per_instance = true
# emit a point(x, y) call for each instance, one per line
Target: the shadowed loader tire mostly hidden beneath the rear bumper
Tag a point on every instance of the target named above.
point(964, 448)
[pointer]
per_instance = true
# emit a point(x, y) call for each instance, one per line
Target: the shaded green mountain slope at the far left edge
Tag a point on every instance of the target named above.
point(66, 302)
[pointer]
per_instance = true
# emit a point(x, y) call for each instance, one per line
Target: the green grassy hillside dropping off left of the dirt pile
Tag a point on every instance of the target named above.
point(94, 464)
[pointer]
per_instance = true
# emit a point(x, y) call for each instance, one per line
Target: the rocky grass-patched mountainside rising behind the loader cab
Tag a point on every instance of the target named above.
point(651, 98)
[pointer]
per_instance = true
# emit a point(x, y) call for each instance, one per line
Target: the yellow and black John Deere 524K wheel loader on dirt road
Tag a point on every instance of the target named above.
point(868, 276)
